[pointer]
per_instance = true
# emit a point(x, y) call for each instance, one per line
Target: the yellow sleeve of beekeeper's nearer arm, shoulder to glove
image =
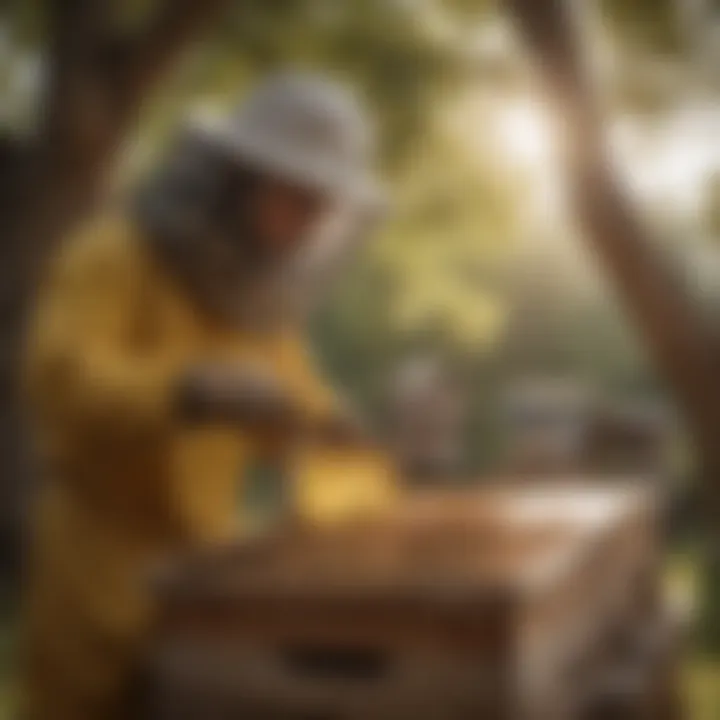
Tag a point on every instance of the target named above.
point(95, 362)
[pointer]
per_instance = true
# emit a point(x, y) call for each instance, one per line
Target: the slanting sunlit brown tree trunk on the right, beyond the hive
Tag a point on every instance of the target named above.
point(684, 350)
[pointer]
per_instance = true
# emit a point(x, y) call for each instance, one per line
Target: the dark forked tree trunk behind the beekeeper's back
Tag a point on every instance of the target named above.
point(99, 78)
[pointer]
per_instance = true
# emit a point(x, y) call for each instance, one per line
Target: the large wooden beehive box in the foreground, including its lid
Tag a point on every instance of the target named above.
point(483, 604)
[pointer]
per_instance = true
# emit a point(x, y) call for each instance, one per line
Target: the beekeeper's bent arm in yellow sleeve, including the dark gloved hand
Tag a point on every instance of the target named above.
point(104, 365)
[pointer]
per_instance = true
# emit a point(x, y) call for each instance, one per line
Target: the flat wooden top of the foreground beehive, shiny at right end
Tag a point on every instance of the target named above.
point(445, 547)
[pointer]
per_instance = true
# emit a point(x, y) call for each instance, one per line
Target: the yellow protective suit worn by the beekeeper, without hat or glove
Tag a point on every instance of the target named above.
point(124, 482)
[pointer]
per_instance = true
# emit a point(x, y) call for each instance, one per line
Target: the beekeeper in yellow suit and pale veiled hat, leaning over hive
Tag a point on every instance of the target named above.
point(165, 355)
